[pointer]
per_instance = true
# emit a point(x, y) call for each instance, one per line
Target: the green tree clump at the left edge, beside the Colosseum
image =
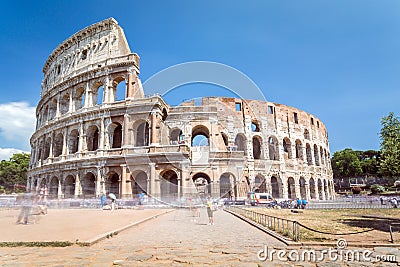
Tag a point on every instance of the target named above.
point(13, 171)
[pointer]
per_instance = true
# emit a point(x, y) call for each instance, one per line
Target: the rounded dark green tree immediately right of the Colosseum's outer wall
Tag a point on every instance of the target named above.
point(346, 163)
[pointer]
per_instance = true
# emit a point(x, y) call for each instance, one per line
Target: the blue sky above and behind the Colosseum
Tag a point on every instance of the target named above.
point(339, 60)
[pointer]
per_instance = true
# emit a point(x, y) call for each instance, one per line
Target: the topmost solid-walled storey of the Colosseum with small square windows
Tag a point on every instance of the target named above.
point(98, 45)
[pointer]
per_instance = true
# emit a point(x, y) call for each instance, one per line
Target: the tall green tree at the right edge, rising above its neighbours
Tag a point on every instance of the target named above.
point(390, 146)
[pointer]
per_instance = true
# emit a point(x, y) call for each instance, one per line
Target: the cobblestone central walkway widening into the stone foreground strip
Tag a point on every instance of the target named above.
point(174, 239)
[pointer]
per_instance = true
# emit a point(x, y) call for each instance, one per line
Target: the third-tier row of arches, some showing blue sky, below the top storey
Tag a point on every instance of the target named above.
point(97, 93)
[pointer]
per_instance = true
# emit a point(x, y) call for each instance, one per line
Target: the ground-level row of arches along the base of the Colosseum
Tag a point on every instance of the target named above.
point(226, 186)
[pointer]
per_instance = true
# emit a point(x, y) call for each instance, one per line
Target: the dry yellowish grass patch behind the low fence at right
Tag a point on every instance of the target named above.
point(341, 223)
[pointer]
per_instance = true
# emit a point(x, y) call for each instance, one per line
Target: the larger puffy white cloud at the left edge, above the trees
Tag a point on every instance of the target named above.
point(17, 123)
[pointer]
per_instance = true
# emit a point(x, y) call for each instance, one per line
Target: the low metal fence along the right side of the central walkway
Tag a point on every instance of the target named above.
point(287, 228)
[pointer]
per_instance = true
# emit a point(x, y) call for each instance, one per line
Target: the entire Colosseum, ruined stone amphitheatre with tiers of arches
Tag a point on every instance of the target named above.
point(97, 133)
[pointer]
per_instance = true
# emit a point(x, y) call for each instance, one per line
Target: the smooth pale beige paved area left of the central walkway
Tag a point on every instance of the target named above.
point(69, 224)
